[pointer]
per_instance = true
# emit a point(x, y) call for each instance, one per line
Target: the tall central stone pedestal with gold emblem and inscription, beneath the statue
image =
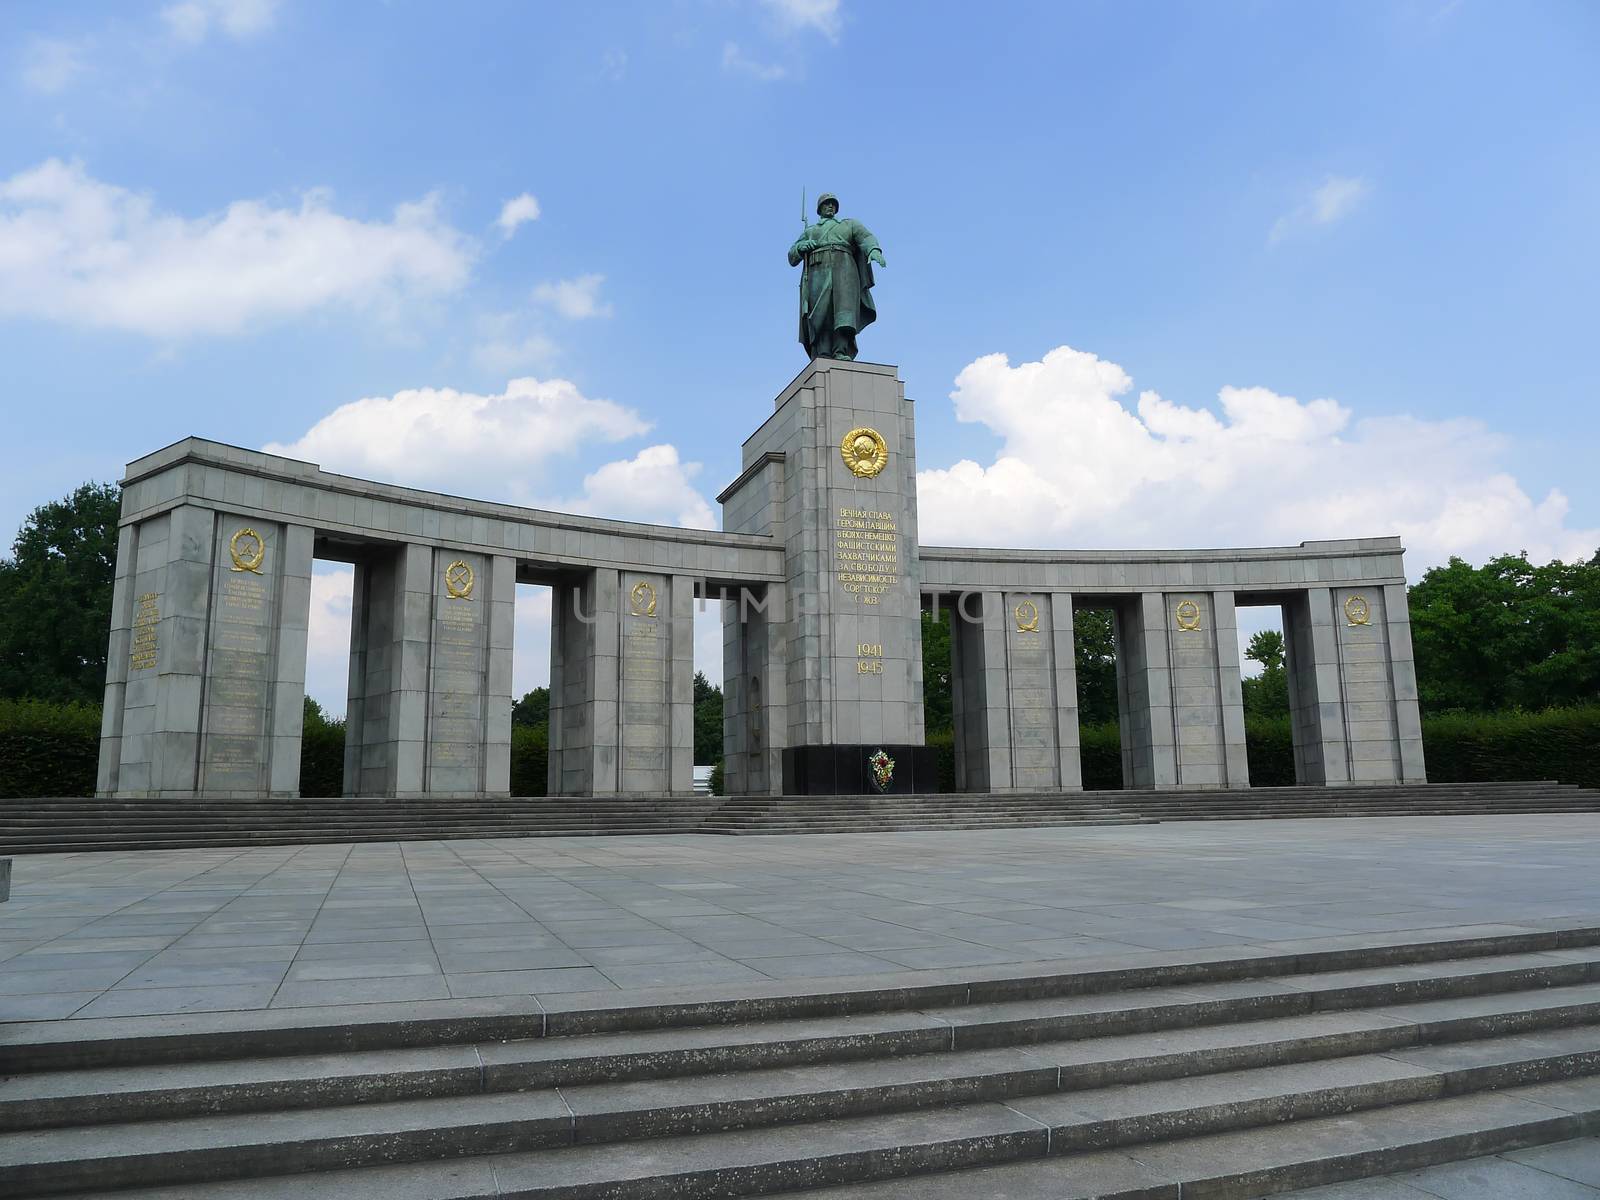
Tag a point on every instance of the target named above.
point(834, 474)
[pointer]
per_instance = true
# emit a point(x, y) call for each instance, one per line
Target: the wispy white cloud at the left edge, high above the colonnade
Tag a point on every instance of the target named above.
point(82, 252)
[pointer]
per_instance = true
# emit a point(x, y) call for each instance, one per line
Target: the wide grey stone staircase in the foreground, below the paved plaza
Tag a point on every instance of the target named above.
point(1238, 1074)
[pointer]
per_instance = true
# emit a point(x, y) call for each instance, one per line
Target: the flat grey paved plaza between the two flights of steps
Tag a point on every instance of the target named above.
point(223, 930)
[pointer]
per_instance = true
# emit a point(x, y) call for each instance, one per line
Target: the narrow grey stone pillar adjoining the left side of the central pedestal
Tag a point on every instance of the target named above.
point(754, 692)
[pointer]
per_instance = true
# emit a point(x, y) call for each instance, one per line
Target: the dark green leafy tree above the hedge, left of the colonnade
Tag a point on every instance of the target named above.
point(55, 599)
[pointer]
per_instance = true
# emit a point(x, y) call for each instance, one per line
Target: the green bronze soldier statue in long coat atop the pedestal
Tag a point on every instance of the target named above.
point(836, 287)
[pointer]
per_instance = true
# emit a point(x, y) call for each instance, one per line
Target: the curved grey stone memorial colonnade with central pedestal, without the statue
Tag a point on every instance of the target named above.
point(822, 582)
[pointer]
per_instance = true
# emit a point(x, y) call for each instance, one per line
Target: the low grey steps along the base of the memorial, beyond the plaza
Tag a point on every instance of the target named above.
point(36, 826)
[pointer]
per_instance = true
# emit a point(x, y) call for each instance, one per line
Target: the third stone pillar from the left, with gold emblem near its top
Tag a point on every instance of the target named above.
point(623, 684)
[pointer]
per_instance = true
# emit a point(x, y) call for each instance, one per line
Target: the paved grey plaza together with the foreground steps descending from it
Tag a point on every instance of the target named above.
point(1143, 1012)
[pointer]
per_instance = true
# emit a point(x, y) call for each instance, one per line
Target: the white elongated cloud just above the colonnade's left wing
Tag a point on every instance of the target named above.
point(423, 436)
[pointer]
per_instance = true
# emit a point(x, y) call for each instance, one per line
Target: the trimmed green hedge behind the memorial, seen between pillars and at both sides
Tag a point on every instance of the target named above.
point(52, 750)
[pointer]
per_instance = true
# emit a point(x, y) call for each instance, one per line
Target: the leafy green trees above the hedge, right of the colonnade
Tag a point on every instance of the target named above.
point(1506, 634)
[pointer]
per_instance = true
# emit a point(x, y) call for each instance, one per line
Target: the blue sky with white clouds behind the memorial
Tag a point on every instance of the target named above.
point(1258, 271)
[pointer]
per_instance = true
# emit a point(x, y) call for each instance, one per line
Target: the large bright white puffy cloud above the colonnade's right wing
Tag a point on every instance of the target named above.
point(1081, 468)
